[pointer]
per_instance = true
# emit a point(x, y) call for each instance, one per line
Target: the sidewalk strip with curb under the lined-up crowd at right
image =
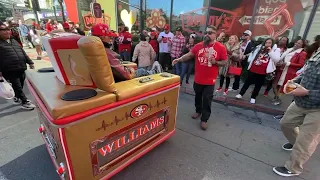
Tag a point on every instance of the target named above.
point(263, 104)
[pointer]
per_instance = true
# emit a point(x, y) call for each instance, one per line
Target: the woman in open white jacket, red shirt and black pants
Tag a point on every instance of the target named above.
point(261, 62)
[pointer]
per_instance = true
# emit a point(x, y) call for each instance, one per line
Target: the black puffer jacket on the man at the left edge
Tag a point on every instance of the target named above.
point(12, 57)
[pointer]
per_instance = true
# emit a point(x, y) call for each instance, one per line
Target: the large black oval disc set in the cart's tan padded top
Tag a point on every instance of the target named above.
point(79, 94)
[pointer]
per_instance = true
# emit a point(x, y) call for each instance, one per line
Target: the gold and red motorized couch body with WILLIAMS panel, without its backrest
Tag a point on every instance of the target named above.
point(96, 138)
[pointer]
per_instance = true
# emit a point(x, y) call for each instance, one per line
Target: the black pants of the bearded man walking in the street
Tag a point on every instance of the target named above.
point(203, 99)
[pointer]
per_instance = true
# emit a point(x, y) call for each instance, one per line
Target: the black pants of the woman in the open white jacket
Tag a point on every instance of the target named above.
point(257, 80)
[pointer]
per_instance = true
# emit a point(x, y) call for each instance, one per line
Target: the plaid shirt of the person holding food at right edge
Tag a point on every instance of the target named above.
point(310, 79)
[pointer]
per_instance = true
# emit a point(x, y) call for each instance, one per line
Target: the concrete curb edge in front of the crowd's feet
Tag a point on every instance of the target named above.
point(228, 101)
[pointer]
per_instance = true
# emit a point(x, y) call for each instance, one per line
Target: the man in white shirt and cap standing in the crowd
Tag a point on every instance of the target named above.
point(164, 40)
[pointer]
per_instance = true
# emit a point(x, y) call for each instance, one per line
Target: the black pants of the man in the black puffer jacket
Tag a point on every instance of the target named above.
point(17, 81)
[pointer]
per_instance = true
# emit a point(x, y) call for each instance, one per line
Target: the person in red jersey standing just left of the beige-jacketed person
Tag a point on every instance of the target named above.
point(125, 39)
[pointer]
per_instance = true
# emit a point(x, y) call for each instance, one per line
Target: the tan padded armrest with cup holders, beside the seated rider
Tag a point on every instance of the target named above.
point(131, 88)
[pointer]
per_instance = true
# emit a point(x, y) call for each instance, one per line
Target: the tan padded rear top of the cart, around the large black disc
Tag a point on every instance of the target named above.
point(50, 90)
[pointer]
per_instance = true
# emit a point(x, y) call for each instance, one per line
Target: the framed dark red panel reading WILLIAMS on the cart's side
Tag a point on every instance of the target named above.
point(111, 149)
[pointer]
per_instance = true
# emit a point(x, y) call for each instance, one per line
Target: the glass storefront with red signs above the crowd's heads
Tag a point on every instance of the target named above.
point(265, 18)
